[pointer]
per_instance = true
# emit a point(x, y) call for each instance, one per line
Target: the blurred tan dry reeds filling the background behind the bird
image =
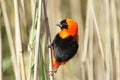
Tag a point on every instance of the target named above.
point(98, 57)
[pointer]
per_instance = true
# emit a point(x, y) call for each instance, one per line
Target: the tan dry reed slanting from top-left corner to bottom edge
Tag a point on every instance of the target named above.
point(10, 38)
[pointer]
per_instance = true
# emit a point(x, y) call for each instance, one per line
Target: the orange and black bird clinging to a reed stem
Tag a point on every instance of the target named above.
point(65, 43)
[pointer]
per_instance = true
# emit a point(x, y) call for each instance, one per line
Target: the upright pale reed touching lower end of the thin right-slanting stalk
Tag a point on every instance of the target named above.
point(108, 41)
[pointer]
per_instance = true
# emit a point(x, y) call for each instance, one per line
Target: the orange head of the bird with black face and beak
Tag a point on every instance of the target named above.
point(68, 27)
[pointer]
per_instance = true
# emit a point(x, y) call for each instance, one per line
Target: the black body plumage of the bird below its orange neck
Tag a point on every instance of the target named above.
point(64, 49)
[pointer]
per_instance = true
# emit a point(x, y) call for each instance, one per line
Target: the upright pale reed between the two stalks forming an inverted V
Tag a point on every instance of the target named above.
point(90, 51)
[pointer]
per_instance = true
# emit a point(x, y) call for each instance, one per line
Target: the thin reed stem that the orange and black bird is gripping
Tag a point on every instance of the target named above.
point(49, 40)
